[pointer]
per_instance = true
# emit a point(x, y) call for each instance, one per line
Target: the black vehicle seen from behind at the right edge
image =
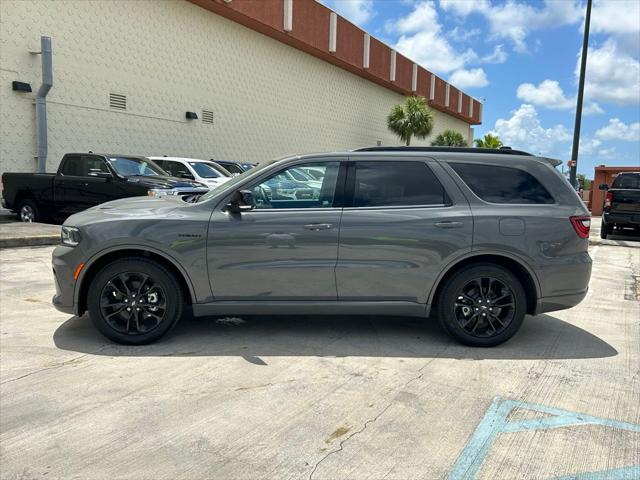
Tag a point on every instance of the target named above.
point(621, 204)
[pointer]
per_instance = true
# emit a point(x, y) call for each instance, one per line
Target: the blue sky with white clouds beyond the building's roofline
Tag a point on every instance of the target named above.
point(522, 60)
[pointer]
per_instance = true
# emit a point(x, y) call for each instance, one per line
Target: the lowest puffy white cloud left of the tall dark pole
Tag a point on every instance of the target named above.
point(524, 130)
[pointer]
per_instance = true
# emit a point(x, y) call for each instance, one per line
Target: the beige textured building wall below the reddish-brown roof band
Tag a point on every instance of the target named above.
point(169, 57)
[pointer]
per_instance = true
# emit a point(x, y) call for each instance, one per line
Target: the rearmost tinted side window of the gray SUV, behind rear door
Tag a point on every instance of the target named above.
point(502, 184)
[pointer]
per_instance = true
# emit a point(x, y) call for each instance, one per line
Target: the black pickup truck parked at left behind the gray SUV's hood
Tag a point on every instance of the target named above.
point(87, 179)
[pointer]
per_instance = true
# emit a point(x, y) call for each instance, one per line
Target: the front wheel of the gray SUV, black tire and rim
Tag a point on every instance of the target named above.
point(120, 313)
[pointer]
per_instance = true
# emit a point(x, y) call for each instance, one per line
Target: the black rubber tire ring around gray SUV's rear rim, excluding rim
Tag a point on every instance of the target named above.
point(453, 286)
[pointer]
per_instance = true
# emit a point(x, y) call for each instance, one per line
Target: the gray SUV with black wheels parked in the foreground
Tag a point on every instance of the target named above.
point(476, 238)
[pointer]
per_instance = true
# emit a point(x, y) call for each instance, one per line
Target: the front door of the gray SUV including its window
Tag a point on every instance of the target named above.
point(286, 248)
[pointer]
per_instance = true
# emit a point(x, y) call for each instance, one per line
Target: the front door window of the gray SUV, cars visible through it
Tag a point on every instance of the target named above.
point(281, 190)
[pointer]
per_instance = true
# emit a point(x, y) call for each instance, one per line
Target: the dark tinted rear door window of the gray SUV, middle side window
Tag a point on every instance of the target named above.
point(379, 184)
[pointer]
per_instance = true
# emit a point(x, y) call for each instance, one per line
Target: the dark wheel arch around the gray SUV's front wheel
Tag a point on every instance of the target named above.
point(93, 266)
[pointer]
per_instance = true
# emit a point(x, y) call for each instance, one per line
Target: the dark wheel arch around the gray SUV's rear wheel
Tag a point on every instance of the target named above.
point(517, 266)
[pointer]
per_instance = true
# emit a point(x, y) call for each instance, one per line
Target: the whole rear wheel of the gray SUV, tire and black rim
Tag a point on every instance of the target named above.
point(469, 315)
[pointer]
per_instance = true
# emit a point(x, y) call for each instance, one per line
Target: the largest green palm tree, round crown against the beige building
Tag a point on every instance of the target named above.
point(412, 117)
